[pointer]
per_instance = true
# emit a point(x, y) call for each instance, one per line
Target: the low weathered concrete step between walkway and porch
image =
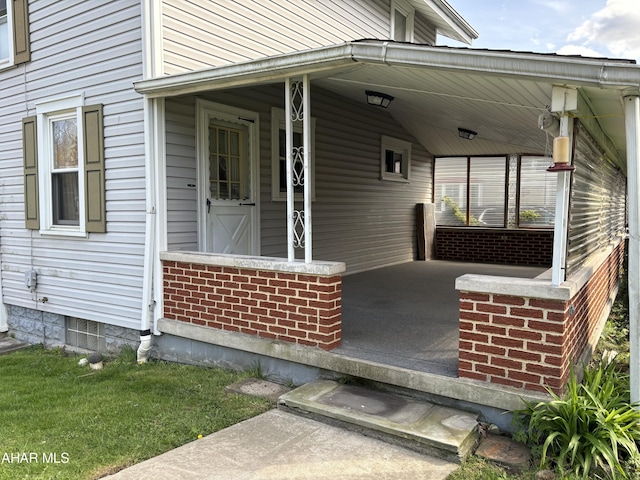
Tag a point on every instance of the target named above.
point(444, 432)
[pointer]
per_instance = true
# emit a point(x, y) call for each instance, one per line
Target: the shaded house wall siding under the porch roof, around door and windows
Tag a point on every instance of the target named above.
point(357, 218)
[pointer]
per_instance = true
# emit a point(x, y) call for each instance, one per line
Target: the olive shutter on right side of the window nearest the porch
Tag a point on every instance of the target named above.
point(94, 191)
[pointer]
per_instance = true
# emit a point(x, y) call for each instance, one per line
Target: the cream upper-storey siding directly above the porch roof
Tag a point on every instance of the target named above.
point(199, 34)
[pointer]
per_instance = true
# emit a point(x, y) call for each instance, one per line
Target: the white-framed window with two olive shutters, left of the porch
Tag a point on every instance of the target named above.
point(64, 168)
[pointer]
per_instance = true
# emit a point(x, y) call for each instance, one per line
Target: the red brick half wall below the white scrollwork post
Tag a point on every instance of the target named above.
point(291, 307)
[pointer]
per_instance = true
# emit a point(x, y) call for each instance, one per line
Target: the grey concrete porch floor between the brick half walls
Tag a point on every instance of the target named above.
point(407, 315)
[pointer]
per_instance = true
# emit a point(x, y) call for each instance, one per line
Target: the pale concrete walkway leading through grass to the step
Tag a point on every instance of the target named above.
point(281, 446)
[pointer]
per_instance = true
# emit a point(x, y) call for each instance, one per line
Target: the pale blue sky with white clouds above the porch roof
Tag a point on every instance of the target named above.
point(591, 28)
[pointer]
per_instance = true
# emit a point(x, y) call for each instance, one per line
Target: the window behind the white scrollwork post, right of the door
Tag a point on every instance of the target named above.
point(278, 157)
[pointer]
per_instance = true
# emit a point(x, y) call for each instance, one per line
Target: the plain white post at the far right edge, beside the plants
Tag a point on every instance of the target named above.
point(632, 125)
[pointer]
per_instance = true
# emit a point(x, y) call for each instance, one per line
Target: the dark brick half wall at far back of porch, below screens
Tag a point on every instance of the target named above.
point(496, 245)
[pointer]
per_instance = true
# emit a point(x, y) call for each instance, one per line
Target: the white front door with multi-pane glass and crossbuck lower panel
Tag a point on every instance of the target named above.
point(229, 181)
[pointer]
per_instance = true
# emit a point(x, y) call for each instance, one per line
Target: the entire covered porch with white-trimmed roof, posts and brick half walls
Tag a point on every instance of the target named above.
point(287, 297)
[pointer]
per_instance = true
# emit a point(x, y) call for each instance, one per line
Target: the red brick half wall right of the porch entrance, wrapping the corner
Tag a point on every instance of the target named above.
point(528, 342)
